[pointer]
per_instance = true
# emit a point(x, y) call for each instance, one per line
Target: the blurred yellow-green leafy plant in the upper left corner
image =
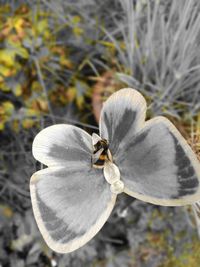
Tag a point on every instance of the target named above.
point(36, 71)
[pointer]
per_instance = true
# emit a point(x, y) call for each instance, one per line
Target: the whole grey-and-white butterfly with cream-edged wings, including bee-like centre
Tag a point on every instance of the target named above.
point(149, 160)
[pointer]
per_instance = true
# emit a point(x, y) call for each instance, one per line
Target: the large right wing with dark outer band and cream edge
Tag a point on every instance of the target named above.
point(158, 166)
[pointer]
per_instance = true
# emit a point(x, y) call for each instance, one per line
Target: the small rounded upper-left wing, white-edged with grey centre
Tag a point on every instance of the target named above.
point(62, 144)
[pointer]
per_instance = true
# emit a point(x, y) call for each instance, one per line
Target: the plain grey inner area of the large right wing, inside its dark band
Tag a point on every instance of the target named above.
point(145, 168)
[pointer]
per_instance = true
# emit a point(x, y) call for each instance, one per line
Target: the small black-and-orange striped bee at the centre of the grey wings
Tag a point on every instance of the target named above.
point(101, 152)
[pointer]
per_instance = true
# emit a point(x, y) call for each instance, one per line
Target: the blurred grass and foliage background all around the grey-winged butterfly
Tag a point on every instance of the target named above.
point(59, 60)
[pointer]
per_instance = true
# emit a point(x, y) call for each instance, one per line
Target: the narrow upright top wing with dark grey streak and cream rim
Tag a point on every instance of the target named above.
point(122, 115)
